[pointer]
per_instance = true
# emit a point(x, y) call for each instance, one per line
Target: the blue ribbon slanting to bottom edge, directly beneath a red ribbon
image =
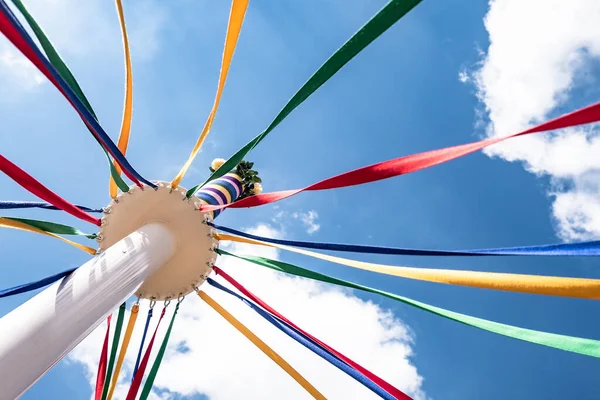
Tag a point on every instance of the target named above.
point(308, 343)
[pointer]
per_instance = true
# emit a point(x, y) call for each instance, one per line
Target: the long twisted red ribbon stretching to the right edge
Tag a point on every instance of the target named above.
point(412, 163)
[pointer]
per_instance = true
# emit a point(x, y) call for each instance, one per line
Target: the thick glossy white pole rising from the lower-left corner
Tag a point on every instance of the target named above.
point(38, 334)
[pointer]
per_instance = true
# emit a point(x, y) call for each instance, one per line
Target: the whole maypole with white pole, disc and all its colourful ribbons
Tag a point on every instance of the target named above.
point(158, 240)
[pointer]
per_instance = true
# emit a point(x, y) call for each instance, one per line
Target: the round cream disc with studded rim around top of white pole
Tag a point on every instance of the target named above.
point(194, 255)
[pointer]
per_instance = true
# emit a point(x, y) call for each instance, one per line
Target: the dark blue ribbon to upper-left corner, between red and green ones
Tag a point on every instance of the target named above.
point(79, 106)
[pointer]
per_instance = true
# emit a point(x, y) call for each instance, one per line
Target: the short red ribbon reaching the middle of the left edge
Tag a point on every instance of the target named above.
point(32, 185)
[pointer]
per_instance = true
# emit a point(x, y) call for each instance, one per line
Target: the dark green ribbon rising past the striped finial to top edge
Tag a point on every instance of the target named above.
point(384, 19)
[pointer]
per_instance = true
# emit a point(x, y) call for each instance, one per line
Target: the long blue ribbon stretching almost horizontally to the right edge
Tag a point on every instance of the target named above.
point(590, 248)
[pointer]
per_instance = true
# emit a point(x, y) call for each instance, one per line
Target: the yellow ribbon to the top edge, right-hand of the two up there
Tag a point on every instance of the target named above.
point(236, 18)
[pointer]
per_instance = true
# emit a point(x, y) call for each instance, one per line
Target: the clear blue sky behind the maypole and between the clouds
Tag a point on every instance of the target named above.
point(400, 96)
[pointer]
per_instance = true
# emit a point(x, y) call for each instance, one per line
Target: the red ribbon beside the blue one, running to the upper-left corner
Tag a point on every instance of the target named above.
point(21, 44)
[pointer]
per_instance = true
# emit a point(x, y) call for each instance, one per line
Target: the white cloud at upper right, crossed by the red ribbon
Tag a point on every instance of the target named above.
point(539, 52)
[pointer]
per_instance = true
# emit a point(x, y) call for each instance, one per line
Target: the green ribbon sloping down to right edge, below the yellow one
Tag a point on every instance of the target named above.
point(583, 346)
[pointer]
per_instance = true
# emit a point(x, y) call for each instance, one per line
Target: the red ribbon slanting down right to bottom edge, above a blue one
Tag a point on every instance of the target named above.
point(379, 381)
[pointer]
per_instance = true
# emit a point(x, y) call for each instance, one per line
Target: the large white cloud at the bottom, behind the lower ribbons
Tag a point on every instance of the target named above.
point(219, 362)
